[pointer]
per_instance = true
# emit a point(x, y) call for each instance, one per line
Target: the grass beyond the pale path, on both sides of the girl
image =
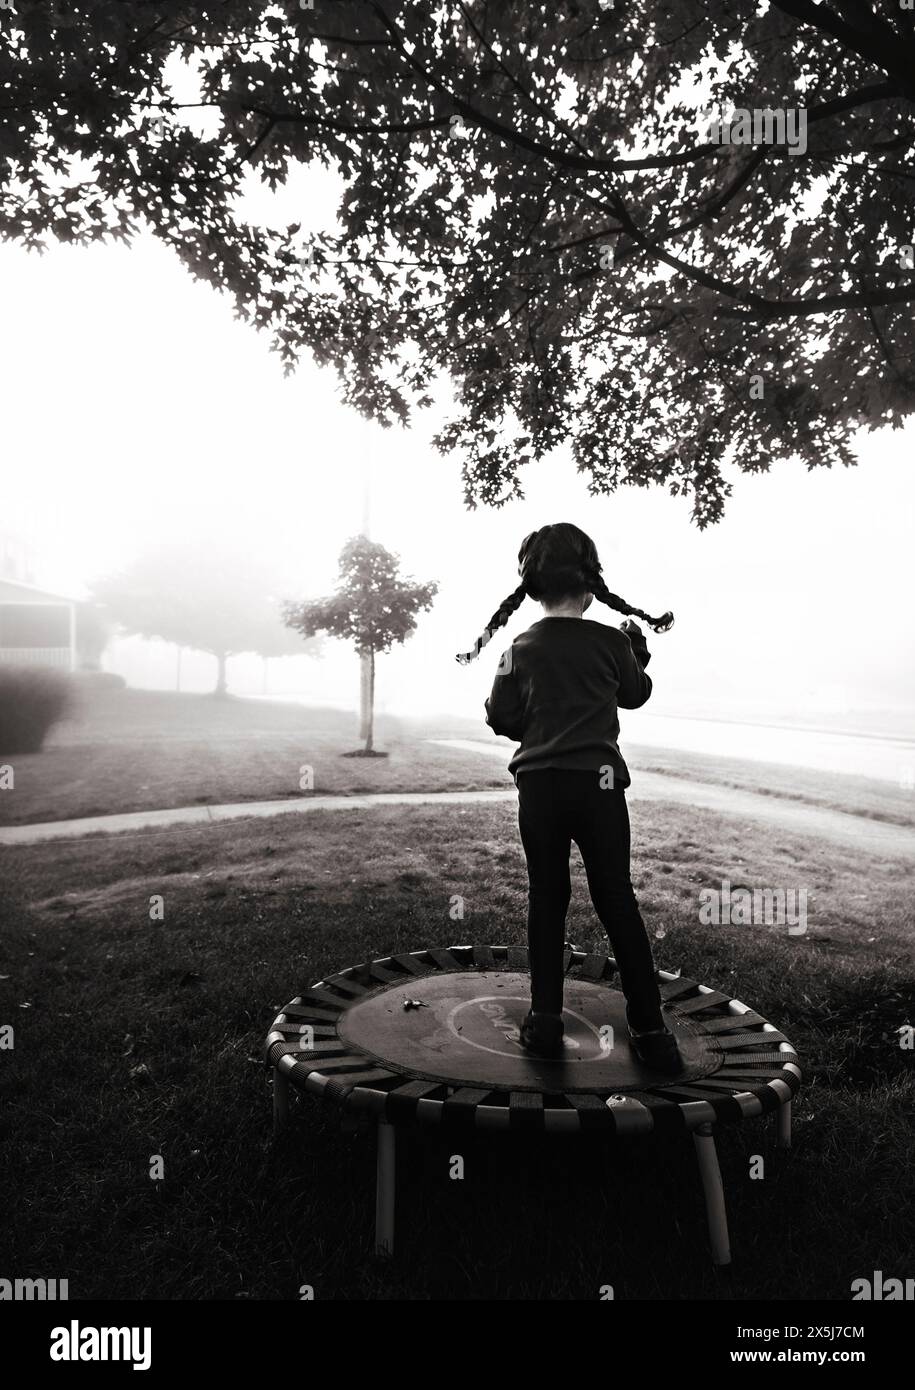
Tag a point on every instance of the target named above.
point(148, 750)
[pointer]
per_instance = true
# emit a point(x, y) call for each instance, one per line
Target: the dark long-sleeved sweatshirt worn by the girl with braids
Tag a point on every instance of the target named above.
point(558, 692)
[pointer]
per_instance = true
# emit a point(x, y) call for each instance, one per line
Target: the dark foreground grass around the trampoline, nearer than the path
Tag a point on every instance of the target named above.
point(255, 911)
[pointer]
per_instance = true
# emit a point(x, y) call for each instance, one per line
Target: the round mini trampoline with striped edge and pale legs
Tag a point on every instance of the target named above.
point(430, 1038)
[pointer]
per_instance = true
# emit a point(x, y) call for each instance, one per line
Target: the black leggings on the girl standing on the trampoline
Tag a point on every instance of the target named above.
point(557, 807)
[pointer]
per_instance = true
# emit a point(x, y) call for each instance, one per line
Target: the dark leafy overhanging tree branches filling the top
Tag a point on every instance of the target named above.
point(529, 205)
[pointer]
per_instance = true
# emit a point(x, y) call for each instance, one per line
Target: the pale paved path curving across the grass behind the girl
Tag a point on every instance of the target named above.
point(836, 826)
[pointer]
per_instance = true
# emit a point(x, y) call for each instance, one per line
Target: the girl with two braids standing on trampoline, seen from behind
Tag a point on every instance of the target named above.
point(557, 693)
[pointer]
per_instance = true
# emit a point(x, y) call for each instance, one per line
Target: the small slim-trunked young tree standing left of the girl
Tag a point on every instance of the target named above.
point(373, 608)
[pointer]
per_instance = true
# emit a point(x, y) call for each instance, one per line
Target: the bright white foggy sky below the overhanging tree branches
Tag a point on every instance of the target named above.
point(138, 407)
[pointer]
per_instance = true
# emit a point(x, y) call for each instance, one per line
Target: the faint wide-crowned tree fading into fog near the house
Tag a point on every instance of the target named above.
point(215, 601)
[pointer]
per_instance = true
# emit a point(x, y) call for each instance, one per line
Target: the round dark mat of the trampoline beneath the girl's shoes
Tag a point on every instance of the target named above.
point(464, 1029)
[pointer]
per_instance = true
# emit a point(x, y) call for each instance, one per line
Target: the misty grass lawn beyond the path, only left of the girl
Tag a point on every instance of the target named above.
point(147, 750)
